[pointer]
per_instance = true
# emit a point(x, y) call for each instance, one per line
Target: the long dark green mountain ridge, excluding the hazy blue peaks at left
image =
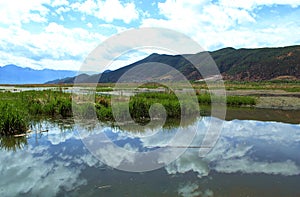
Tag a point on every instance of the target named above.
point(234, 64)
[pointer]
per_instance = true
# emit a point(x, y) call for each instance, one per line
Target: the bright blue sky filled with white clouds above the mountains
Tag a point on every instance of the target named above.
point(59, 34)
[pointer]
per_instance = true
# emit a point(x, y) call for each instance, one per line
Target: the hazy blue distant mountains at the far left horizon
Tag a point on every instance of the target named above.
point(12, 74)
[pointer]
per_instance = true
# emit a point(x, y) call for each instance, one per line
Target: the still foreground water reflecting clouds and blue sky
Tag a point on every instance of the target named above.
point(250, 158)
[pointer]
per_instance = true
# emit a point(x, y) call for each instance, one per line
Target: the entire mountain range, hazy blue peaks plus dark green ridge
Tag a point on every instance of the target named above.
point(234, 64)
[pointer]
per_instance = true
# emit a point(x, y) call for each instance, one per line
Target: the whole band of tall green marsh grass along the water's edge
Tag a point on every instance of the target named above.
point(18, 108)
